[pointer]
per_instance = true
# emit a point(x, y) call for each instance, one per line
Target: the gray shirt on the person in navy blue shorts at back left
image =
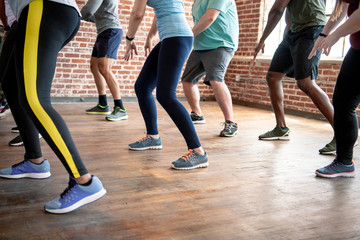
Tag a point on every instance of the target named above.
point(103, 12)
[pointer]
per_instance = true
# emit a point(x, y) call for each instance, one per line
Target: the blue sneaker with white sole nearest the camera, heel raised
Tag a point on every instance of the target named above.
point(76, 195)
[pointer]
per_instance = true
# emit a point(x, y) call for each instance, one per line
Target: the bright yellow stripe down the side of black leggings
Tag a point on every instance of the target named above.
point(30, 77)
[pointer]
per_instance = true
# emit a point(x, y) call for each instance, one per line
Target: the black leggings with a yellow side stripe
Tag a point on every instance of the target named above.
point(44, 28)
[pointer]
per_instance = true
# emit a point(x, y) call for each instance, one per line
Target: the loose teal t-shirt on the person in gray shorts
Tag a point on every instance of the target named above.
point(224, 31)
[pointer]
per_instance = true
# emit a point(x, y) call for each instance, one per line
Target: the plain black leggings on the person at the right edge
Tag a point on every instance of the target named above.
point(346, 99)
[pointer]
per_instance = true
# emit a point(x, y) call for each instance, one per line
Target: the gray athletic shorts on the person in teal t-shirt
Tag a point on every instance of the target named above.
point(212, 63)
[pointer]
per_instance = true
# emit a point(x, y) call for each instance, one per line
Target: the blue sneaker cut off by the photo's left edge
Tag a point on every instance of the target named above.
point(27, 169)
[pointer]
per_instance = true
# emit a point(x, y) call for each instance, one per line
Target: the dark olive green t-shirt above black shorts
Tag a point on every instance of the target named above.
point(306, 13)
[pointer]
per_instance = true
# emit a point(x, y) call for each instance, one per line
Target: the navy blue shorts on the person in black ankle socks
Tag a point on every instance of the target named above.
point(107, 43)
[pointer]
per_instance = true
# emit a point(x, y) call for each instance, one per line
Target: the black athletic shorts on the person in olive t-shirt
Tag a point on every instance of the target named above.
point(291, 56)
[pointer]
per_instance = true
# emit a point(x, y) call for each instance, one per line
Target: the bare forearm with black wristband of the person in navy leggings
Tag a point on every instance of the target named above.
point(136, 16)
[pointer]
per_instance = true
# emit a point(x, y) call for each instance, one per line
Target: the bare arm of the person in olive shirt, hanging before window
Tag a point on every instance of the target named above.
point(275, 14)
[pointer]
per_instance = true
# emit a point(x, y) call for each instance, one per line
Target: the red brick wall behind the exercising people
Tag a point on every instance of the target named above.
point(247, 85)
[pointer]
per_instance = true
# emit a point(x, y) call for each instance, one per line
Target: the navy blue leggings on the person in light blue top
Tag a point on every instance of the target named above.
point(162, 69)
